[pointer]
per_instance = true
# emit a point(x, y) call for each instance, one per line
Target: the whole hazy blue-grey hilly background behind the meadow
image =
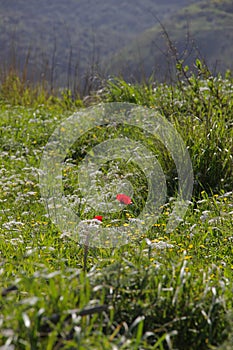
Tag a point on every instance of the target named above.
point(66, 42)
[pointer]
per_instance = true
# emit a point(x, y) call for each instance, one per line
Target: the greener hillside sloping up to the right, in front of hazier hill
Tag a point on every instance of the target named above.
point(203, 29)
